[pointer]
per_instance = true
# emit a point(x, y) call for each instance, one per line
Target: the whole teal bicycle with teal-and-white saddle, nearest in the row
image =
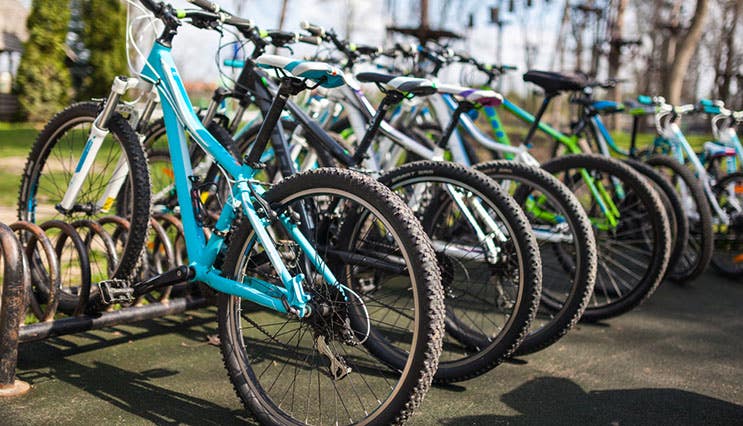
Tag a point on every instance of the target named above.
point(300, 344)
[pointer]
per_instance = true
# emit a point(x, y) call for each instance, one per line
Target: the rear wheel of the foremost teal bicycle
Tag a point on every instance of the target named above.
point(279, 365)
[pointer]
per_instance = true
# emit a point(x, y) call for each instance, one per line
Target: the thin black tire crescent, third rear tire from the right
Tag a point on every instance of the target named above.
point(677, 217)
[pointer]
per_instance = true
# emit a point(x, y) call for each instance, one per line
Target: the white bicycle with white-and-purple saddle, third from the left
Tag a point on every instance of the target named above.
point(567, 287)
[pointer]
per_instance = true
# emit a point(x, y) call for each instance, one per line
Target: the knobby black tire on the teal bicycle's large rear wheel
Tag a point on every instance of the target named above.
point(427, 329)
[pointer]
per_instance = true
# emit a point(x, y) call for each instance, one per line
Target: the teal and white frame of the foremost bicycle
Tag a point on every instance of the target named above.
point(160, 71)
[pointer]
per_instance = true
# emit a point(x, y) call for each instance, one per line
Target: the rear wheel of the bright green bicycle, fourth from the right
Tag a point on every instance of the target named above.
point(633, 253)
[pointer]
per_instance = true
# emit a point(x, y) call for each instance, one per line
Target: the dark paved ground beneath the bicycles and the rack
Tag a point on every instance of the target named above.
point(677, 360)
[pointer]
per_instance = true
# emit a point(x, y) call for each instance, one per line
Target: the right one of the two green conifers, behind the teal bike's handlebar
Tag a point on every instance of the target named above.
point(104, 37)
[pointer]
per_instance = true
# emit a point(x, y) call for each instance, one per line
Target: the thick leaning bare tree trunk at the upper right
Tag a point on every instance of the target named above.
point(684, 51)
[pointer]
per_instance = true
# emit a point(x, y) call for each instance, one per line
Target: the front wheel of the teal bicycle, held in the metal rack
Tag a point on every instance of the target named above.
point(50, 165)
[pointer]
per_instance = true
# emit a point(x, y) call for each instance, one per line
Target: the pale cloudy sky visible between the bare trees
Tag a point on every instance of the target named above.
point(368, 24)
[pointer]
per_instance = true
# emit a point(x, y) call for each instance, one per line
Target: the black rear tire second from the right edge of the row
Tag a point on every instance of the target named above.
point(698, 252)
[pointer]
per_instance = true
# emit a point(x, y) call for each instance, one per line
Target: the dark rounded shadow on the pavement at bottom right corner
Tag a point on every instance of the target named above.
point(550, 400)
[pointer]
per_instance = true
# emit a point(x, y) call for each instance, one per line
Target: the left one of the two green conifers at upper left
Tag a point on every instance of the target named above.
point(43, 82)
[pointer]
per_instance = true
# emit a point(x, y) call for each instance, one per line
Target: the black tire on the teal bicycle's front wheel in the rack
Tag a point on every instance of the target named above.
point(138, 184)
